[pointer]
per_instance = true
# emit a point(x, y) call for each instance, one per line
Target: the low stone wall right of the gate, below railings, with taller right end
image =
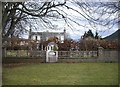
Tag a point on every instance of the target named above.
point(104, 56)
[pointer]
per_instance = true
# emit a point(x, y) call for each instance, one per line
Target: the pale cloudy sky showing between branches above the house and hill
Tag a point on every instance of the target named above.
point(77, 31)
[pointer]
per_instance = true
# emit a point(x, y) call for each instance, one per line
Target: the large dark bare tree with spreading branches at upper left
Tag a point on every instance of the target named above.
point(17, 14)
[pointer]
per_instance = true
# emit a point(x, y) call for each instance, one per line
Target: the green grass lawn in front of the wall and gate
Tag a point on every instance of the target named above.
point(62, 74)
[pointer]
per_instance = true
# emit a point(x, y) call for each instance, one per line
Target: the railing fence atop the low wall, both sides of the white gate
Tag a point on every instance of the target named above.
point(61, 54)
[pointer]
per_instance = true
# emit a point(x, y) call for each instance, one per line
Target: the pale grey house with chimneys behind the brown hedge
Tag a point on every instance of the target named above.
point(44, 36)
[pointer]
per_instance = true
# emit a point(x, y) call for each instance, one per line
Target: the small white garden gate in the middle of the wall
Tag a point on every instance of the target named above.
point(51, 56)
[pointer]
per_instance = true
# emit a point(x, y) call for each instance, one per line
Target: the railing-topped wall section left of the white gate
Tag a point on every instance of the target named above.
point(23, 56)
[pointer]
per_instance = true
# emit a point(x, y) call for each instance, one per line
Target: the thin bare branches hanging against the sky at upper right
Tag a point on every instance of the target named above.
point(101, 13)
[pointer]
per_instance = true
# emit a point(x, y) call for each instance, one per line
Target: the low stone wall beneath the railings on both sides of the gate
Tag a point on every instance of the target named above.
point(103, 56)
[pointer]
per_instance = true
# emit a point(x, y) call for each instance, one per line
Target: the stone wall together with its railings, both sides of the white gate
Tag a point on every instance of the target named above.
point(63, 56)
